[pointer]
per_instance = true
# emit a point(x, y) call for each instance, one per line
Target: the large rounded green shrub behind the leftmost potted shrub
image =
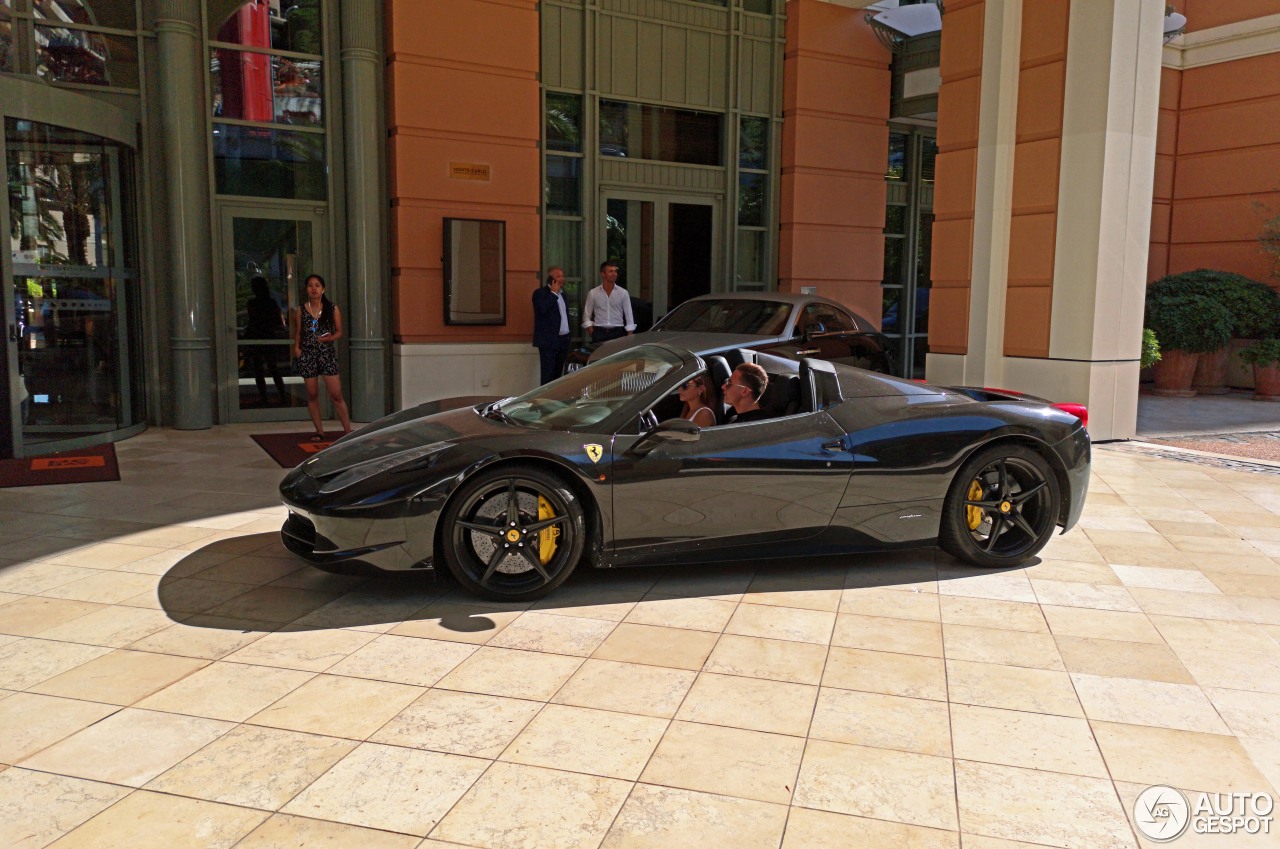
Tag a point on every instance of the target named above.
point(1254, 308)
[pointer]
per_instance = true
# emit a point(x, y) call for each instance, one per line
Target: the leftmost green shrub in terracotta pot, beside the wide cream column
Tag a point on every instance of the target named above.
point(1187, 326)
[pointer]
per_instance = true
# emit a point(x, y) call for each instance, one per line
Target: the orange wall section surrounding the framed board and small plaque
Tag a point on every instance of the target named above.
point(463, 88)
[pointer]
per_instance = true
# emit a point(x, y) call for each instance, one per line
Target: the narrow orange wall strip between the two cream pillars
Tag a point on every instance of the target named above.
point(1037, 153)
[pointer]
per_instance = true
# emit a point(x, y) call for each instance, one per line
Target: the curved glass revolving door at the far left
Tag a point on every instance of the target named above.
point(72, 290)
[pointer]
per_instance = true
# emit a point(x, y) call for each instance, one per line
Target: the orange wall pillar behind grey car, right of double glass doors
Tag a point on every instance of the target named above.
point(835, 144)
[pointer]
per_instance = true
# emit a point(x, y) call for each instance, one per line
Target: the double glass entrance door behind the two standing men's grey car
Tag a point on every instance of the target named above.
point(666, 247)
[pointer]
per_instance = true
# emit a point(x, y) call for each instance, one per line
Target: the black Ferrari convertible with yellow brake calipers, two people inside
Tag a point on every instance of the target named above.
point(597, 468)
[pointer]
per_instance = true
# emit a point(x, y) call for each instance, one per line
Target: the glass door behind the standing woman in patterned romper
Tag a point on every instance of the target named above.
point(266, 257)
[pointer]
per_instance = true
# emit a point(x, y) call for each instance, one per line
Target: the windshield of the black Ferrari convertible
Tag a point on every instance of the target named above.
point(589, 396)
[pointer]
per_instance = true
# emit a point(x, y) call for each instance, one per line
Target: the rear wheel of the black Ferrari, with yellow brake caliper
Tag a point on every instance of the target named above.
point(1002, 509)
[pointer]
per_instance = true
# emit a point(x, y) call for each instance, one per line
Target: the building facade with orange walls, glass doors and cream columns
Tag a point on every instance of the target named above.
point(996, 191)
